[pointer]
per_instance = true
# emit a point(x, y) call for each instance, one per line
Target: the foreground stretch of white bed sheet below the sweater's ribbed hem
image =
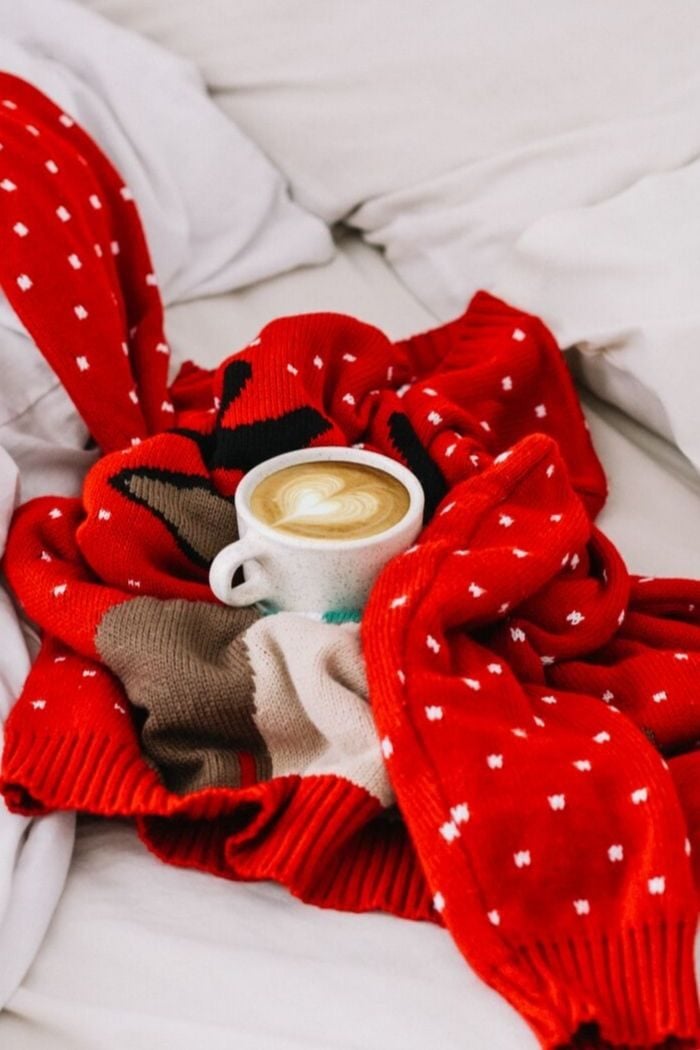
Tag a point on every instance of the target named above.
point(143, 956)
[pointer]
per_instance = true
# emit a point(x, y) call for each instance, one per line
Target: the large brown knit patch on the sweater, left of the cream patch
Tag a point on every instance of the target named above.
point(185, 664)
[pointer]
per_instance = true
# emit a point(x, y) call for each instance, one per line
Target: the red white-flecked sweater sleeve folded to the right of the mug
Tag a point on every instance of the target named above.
point(551, 831)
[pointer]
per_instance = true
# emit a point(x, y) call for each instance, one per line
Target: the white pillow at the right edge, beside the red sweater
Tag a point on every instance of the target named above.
point(620, 281)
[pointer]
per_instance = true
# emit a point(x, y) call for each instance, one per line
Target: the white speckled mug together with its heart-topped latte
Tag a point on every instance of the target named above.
point(315, 528)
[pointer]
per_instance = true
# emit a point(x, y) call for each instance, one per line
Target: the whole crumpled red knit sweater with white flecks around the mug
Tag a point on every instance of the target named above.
point(537, 708)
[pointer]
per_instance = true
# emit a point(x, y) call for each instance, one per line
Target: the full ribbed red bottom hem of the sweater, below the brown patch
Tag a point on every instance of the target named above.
point(328, 841)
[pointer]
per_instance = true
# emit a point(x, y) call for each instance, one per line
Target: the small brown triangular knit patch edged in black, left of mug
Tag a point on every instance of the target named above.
point(205, 521)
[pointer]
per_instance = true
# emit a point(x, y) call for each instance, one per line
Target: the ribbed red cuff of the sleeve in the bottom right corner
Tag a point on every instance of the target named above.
point(635, 989)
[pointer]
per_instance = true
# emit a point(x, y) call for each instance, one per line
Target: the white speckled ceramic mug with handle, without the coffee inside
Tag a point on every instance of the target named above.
point(302, 575)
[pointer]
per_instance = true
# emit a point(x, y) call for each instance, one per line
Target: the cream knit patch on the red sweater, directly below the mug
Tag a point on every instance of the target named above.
point(311, 701)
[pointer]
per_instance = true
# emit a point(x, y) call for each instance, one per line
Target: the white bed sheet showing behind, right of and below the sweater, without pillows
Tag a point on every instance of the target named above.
point(147, 957)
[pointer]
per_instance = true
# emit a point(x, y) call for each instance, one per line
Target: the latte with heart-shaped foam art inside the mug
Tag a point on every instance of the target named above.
point(330, 500)
